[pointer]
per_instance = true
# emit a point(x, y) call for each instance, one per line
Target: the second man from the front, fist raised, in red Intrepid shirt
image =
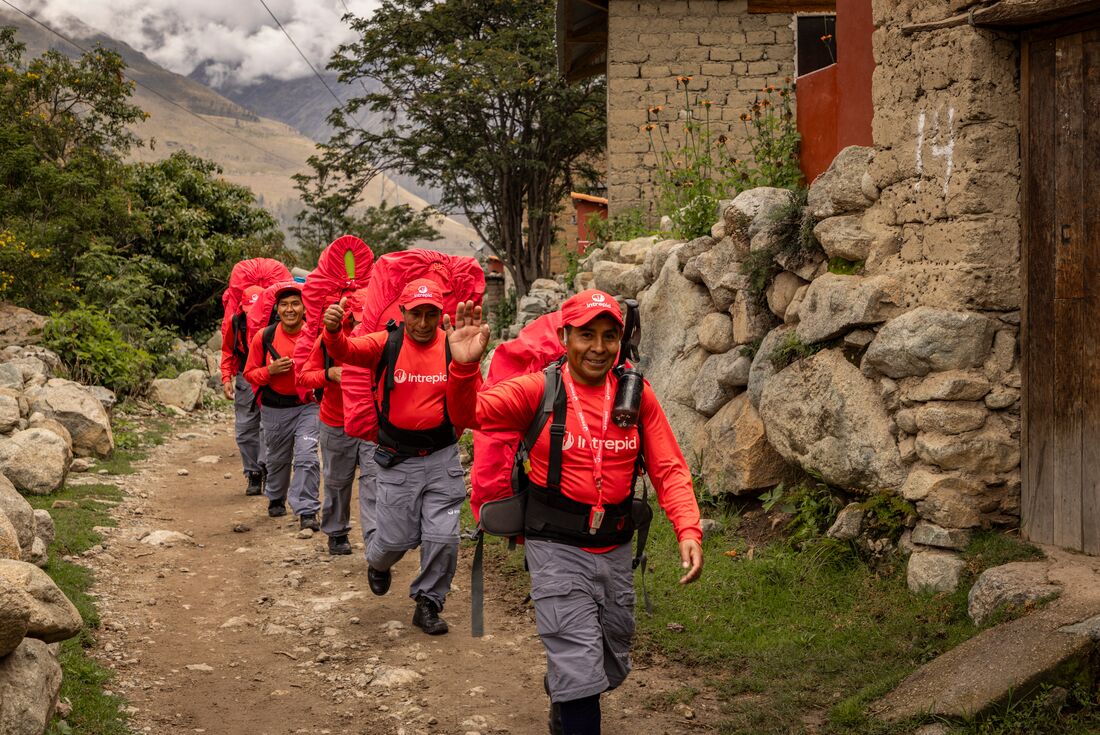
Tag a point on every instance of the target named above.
point(421, 486)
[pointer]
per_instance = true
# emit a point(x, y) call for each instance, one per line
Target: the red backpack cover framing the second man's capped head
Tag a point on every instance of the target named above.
point(463, 280)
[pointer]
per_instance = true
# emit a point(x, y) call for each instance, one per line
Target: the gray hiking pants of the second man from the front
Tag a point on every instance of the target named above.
point(420, 502)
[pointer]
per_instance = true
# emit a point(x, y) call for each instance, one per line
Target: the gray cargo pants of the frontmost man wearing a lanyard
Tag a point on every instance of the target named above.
point(585, 616)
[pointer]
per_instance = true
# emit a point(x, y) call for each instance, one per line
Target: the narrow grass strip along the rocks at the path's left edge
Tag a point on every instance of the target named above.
point(94, 712)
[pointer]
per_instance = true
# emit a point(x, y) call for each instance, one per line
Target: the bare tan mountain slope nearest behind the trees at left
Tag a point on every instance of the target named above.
point(251, 148)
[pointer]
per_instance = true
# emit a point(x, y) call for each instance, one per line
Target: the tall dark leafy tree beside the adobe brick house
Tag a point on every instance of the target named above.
point(477, 109)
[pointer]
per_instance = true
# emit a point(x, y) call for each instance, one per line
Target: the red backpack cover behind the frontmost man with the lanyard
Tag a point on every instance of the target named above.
point(536, 347)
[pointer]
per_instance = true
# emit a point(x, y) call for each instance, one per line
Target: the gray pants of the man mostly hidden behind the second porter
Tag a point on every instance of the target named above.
point(340, 456)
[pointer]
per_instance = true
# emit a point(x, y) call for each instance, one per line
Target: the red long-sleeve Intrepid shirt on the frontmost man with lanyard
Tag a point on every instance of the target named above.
point(512, 405)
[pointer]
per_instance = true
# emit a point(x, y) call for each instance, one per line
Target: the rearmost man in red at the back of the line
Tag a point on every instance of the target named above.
point(235, 355)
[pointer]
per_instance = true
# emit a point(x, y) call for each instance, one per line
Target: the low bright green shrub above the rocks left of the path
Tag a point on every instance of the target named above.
point(95, 353)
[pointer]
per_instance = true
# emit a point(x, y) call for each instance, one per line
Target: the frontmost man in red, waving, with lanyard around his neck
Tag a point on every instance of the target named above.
point(578, 506)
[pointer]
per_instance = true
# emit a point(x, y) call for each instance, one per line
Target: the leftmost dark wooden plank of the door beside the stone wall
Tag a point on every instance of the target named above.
point(1038, 500)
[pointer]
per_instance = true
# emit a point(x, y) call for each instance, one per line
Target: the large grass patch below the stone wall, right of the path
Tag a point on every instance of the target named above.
point(786, 635)
